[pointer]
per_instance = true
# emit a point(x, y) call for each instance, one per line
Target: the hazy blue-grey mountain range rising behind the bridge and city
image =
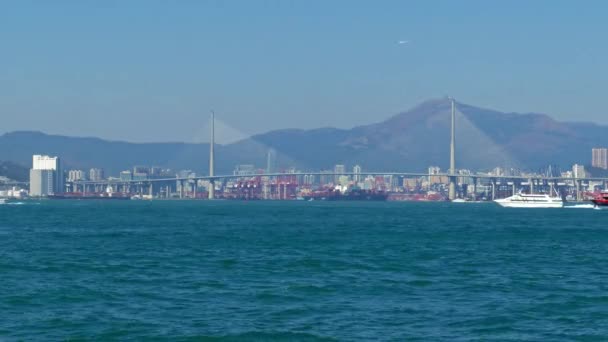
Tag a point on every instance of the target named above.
point(409, 141)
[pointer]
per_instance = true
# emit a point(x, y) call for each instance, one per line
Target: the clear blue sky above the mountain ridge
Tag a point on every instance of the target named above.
point(151, 70)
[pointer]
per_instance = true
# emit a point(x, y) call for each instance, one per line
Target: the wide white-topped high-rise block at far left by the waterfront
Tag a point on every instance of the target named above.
point(46, 176)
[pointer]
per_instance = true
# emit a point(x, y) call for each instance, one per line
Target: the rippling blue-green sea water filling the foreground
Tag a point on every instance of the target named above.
point(227, 270)
